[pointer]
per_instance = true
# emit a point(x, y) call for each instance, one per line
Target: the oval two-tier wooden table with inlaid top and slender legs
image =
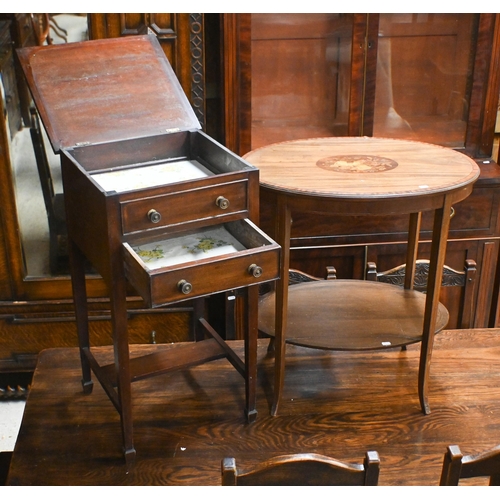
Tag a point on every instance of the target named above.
point(360, 176)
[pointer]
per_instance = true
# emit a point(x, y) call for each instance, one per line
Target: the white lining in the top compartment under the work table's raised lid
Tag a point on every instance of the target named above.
point(151, 176)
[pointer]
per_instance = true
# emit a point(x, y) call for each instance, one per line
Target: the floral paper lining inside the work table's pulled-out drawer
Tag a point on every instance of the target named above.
point(211, 242)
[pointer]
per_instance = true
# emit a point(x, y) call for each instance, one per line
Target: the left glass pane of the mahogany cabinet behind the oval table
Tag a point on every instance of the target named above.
point(287, 101)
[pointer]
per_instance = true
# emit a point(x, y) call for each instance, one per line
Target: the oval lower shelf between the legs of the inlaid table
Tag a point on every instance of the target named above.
point(350, 315)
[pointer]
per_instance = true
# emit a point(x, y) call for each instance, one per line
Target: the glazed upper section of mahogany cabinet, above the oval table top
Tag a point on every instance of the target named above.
point(428, 77)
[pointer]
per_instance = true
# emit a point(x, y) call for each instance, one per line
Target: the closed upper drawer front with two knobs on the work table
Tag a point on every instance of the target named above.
point(165, 210)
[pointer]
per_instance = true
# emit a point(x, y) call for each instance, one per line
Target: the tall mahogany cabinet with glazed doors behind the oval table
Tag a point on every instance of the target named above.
point(425, 77)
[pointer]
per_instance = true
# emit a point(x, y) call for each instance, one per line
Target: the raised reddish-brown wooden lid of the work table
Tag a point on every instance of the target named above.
point(106, 90)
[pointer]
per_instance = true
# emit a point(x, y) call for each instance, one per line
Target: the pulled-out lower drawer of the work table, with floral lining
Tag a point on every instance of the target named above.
point(198, 263)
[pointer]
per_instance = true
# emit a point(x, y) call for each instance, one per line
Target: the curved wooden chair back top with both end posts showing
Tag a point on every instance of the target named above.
point(304, 469)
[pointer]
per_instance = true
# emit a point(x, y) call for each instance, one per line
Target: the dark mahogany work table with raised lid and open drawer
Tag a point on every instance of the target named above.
point(157, 207)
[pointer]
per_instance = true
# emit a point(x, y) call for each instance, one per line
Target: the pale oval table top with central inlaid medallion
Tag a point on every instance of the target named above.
point(361, 168)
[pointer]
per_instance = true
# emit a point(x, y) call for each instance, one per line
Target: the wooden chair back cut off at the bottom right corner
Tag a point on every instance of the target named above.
point(457, 466)
